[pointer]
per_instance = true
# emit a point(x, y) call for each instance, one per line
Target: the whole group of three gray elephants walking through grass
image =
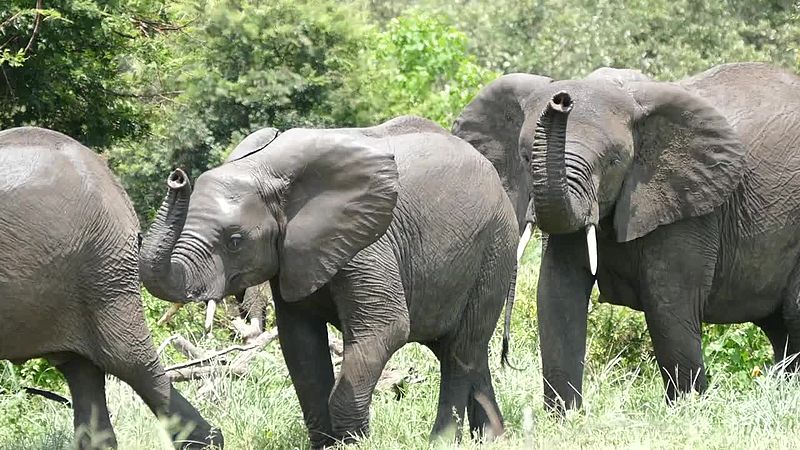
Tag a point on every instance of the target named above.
point(678, 199)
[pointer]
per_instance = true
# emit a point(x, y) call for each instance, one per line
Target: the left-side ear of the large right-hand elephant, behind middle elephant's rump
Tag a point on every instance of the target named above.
point(491, 123)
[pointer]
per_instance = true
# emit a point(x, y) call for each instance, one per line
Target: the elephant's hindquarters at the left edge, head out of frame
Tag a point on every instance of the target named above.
point(69, 289)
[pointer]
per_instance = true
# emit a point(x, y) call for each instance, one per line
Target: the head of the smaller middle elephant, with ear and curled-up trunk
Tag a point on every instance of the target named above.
point(295, 213)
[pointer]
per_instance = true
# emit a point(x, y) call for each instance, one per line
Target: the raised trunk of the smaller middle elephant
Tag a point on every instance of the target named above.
point(160, 273)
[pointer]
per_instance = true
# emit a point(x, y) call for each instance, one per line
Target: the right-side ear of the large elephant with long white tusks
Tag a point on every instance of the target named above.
point(687, 160)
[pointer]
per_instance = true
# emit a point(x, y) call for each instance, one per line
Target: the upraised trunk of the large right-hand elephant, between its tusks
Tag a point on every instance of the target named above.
point(561, 185)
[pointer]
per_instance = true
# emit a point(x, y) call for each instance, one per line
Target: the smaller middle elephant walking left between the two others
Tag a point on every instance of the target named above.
point(393, 234)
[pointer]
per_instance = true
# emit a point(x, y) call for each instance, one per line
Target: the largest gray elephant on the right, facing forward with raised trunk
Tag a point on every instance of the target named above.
point(694, 189)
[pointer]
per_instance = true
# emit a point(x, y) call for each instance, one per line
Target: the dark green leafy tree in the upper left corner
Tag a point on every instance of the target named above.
point(61, 66)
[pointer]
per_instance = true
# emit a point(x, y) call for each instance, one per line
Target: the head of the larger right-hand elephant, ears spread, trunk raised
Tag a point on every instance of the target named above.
point(613, 144)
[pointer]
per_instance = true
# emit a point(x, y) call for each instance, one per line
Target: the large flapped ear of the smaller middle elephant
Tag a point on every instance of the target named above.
point(341, 194)
